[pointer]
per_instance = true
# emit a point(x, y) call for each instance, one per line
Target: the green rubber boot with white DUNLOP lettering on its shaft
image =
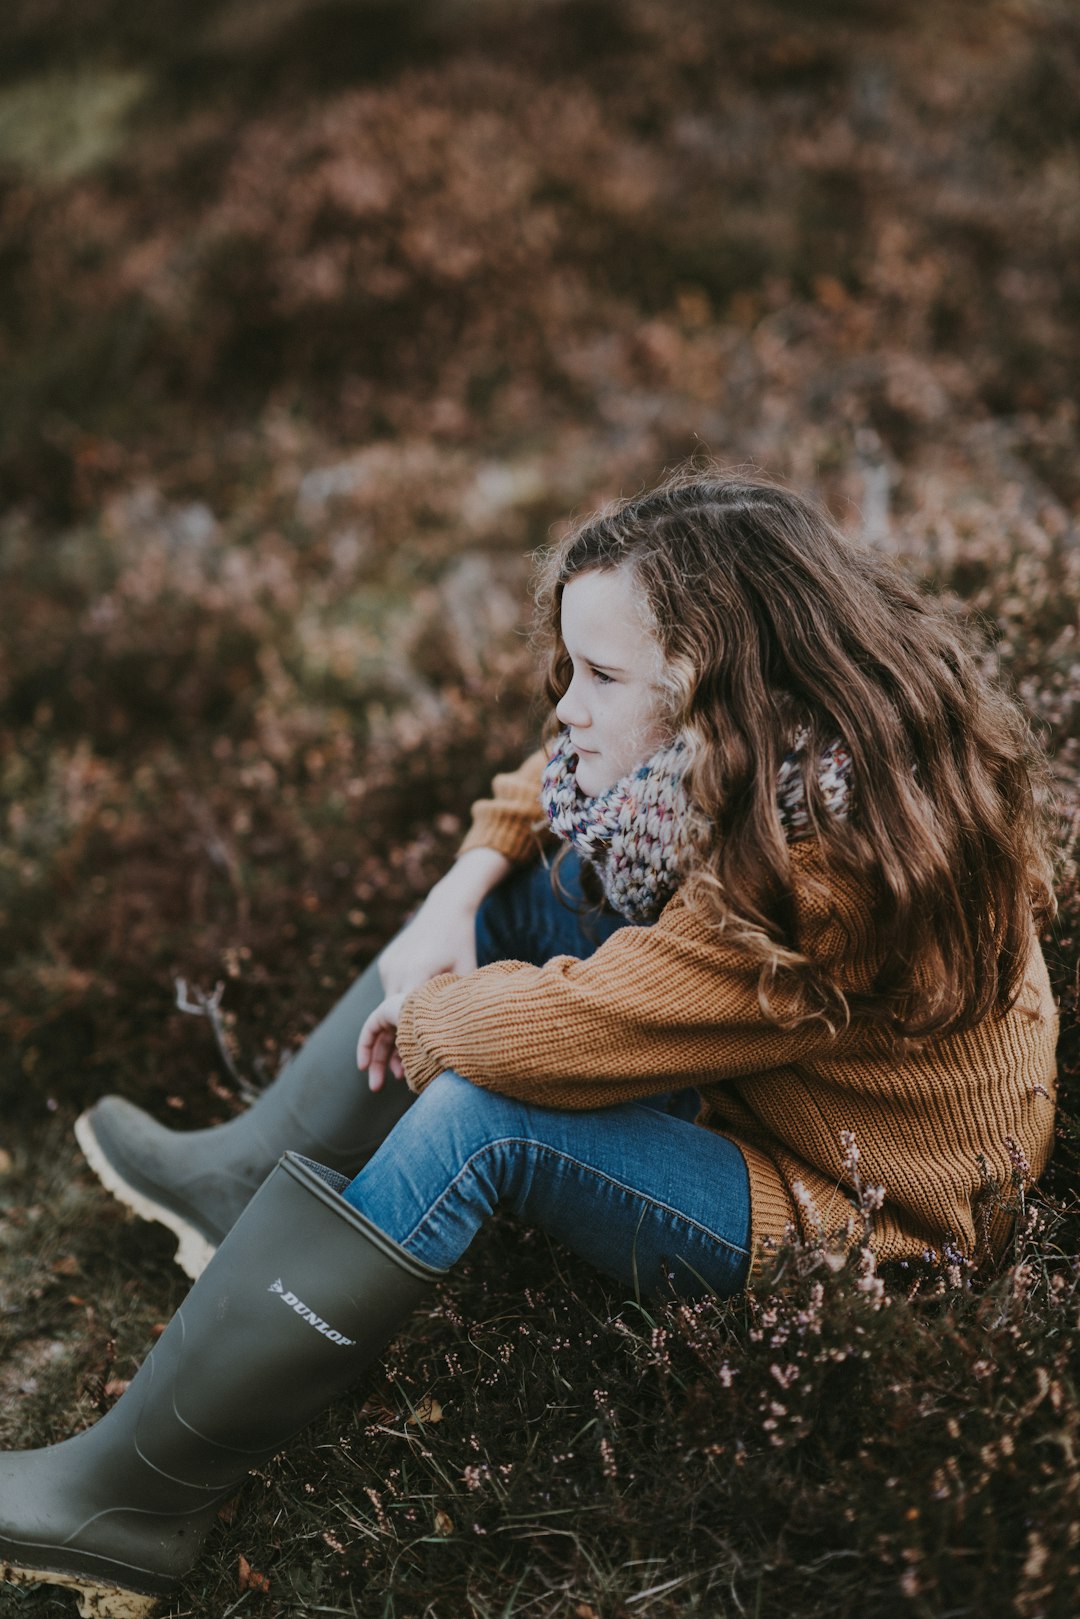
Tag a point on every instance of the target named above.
point(299, 1301)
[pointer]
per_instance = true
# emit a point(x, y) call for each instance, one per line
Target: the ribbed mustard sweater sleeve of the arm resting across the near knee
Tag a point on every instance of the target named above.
point(652, 1009)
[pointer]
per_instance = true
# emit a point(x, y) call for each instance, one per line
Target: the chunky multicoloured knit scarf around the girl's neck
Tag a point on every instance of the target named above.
point(636, 833)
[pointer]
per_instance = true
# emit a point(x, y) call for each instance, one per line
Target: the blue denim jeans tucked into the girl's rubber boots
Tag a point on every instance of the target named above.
point(637, 1189)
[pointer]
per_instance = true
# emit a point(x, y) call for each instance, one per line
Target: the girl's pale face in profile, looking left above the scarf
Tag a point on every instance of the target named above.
point(613, 707)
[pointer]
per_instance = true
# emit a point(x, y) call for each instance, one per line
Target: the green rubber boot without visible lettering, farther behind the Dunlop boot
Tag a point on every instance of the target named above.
point(198, 1183)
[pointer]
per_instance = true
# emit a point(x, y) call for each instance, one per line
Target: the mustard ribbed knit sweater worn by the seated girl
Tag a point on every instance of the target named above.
point(674, 1006)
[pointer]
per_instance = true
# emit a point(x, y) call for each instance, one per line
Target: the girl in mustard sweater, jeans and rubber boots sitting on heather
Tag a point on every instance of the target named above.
point(796, 883)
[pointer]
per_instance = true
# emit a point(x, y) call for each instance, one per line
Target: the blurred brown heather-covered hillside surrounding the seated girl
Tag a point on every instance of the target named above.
point(317, 318)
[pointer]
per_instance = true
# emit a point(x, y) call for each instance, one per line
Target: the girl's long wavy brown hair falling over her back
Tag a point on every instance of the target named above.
point(768, 619)
